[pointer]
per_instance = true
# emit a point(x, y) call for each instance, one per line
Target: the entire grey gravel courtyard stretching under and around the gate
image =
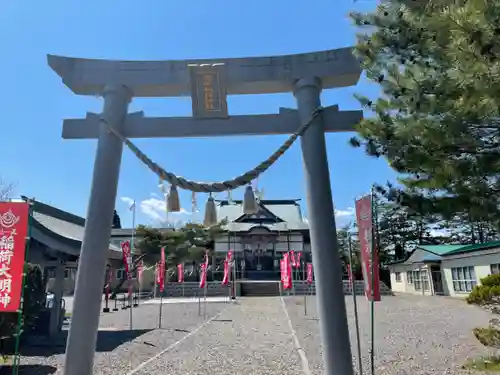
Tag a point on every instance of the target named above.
point(414, 335)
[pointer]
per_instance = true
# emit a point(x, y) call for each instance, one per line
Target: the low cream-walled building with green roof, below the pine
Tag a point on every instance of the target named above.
point(451, 270)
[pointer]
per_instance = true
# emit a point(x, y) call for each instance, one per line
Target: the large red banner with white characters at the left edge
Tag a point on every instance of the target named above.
point(14, 230)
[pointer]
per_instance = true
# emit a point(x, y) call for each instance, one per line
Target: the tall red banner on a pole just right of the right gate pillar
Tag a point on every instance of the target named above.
point(365, 226)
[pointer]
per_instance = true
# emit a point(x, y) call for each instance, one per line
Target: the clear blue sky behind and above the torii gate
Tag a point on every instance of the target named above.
point(34, 100)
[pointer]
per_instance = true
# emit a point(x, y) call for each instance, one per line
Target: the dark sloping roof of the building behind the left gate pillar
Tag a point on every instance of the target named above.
point(61, 230)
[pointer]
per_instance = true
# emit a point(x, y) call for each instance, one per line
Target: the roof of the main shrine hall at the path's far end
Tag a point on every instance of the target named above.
point(276, 215)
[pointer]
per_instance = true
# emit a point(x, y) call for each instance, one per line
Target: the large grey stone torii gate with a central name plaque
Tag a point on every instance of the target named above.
point(208, 82)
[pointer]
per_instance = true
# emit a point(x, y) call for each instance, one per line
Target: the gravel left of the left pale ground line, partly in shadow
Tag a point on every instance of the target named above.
point(118, 350)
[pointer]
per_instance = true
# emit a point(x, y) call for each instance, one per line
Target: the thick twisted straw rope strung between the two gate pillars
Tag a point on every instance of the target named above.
point(215, 187)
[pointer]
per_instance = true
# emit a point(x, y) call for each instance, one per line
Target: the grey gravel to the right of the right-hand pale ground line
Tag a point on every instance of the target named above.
point(413, 334)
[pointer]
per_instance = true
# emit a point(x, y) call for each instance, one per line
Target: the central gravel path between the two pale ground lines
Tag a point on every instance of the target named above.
point(252, 337)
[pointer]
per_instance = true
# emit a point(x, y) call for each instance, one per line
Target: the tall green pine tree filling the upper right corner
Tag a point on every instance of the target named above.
point(437, 119)
